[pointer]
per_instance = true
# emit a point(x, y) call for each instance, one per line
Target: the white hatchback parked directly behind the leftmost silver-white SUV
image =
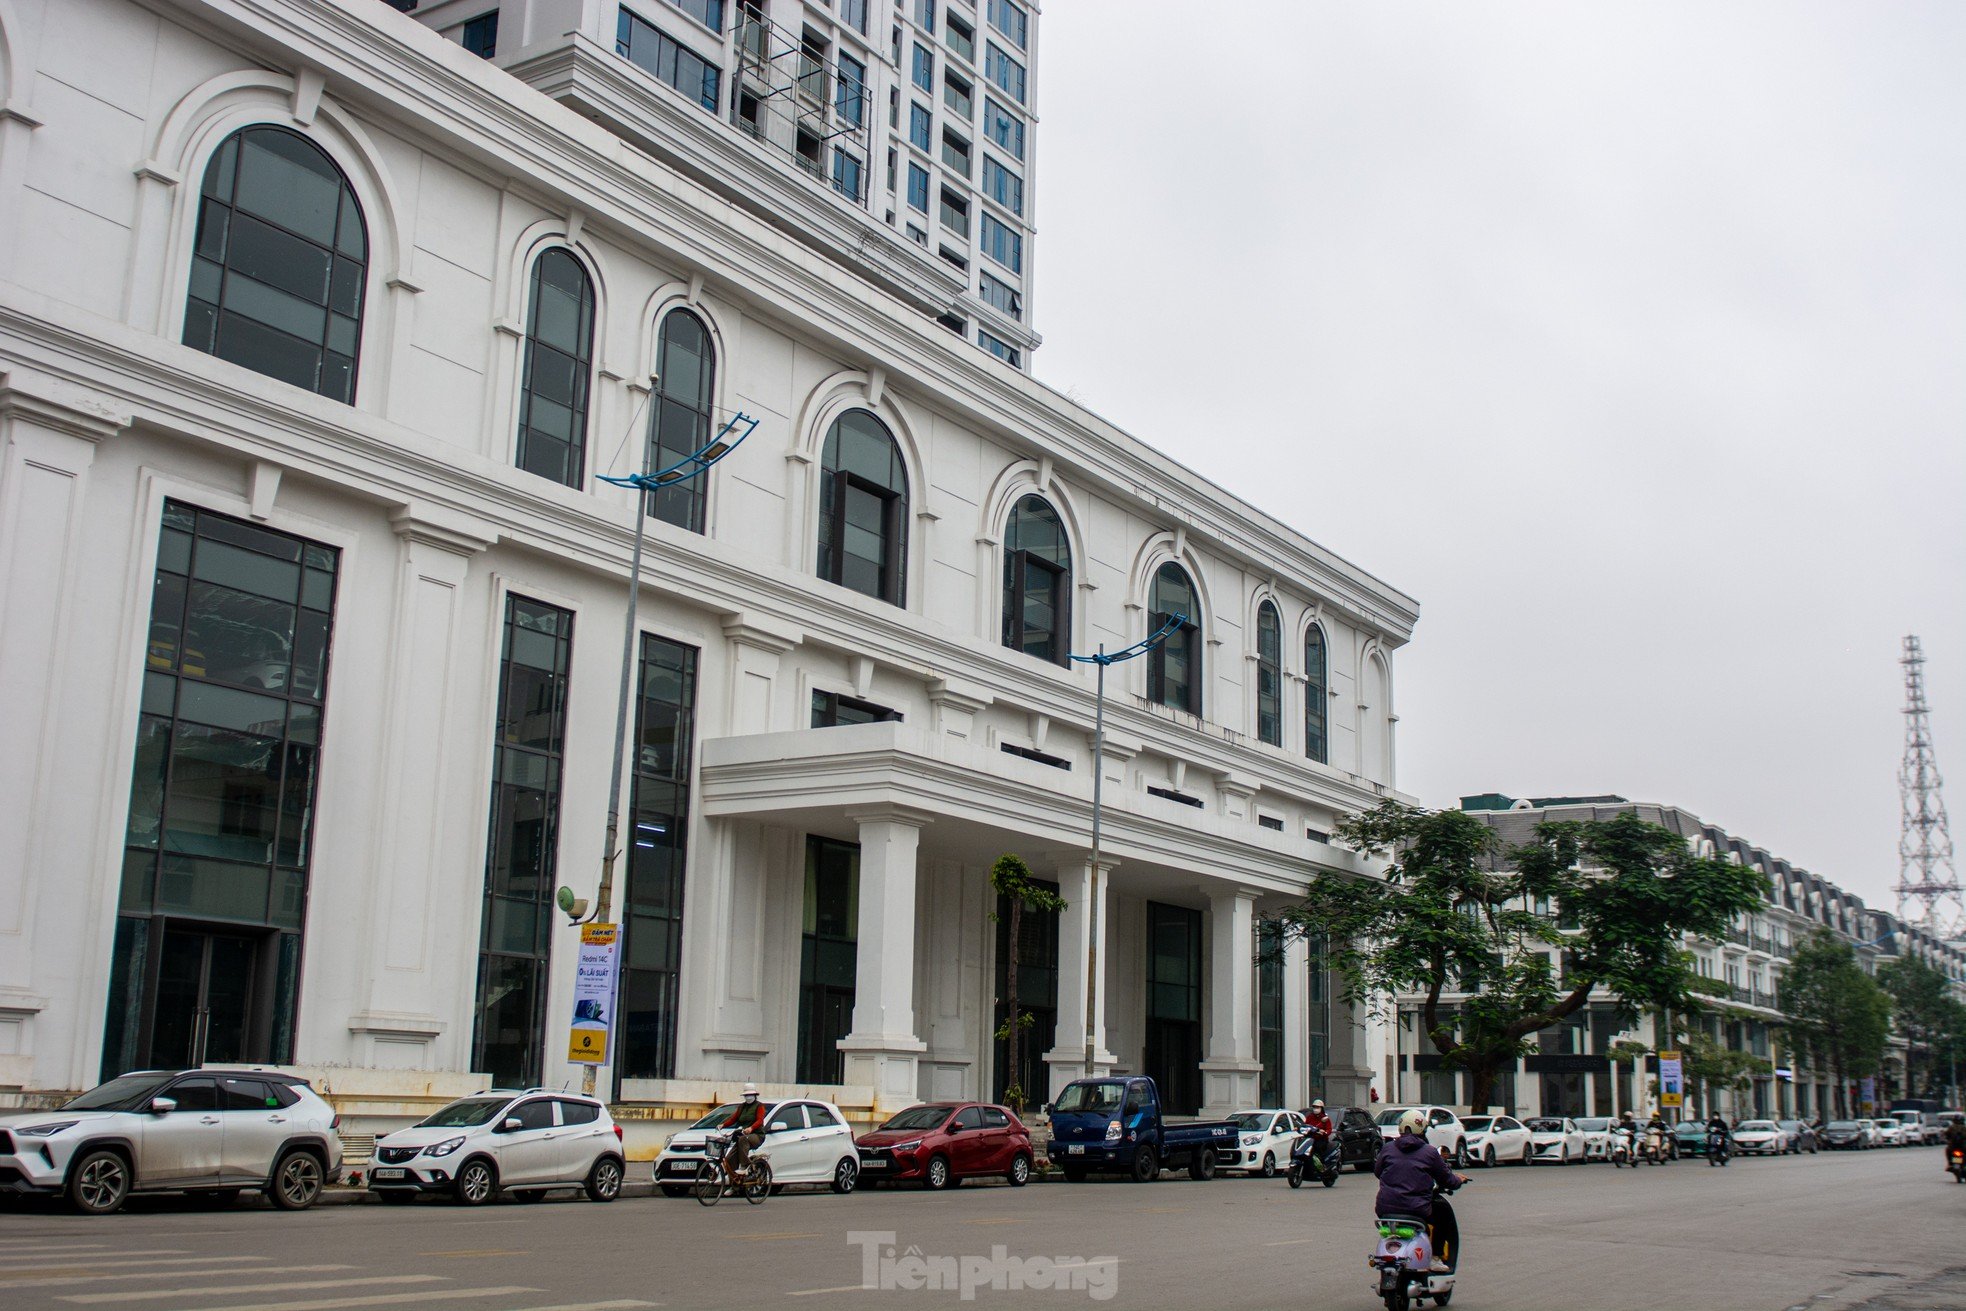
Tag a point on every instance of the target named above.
point(526, 1143)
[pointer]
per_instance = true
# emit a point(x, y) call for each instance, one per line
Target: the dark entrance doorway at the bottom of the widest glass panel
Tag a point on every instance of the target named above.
point(203, 999)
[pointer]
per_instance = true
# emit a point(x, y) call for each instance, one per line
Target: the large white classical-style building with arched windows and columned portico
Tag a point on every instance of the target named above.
point(318, 329)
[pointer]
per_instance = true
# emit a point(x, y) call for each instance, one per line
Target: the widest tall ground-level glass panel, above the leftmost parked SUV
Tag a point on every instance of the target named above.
point(223, 797)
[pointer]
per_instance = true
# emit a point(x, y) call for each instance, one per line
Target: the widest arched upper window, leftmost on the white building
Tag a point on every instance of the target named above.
point(282, 262)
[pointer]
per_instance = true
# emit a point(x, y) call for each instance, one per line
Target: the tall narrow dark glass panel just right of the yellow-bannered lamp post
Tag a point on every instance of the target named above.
point(658, 854)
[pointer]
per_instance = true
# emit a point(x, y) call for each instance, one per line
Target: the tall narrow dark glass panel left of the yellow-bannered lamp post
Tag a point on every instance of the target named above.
point(522, 852)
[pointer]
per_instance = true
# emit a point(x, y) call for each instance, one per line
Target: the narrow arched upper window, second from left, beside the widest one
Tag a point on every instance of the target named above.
point(559, 351)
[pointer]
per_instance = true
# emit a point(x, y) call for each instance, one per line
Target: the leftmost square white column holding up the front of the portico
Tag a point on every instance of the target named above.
point(882, 1051)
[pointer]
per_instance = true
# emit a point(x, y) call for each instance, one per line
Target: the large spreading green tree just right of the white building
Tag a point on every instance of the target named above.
point(1444, 921)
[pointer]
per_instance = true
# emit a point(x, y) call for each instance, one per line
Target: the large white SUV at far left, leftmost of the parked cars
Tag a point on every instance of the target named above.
point(213, 1133)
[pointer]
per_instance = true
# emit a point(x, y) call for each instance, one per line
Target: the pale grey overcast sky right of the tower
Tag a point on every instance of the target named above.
point(1631, 339)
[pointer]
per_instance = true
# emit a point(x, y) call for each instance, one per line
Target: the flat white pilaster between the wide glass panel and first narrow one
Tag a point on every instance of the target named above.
point(424, 862)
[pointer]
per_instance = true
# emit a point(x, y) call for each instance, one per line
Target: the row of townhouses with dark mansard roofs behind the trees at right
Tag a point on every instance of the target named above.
point(1574, 1070)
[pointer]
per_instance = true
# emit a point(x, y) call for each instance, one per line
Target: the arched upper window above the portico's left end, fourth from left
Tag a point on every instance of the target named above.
point(864, 508)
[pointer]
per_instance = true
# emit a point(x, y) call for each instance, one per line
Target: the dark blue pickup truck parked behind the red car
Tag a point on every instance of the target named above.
point(1116, 1127)
